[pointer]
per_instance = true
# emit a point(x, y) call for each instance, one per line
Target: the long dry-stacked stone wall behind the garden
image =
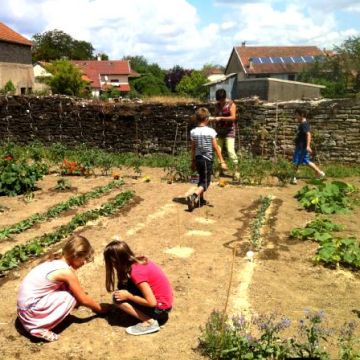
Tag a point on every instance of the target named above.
point(264, 129)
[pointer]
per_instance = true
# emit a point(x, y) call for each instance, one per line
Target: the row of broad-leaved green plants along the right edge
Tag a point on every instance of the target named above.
point(329, 198)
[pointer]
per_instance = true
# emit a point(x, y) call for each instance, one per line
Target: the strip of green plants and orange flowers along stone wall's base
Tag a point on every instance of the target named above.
point(82, 160)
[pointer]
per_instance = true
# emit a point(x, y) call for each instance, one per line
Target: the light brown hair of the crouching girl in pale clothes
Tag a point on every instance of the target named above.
point(77, 246)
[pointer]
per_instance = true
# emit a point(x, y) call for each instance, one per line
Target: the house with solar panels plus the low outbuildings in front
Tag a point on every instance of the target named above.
point(268, 73)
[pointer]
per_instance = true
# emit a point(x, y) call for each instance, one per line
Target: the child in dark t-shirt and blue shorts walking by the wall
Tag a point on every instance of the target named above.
point(302, 145)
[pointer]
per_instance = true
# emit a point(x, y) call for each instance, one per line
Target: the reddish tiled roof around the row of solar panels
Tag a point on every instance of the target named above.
point(245, 53)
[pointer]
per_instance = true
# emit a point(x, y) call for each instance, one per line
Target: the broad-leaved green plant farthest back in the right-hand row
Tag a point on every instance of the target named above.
point(325, 197)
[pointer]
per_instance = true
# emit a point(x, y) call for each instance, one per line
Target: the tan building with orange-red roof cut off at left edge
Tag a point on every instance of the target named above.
point(15, 60)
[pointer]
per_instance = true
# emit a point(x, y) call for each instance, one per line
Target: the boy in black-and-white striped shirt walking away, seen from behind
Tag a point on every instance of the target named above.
point(203, 144)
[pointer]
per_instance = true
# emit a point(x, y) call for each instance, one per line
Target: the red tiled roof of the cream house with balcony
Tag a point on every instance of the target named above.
point(93, 69)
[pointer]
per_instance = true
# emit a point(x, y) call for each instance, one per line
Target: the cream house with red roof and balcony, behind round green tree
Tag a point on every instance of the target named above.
point(105, 74)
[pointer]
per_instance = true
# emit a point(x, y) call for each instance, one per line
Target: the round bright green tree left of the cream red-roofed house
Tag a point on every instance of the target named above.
point(66, 79)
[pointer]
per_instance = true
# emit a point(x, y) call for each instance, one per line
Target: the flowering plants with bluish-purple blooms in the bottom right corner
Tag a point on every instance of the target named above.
point(260, 337)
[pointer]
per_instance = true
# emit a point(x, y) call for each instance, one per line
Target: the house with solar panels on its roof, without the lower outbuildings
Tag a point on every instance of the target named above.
point(280, 62)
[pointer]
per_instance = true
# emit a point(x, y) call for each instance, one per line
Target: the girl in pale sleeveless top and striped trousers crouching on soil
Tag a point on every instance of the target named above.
point(51, 290)
